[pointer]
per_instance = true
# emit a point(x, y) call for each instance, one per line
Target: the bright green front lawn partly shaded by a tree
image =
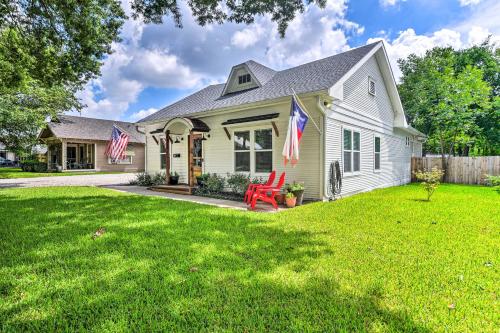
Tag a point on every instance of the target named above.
point(383, 261)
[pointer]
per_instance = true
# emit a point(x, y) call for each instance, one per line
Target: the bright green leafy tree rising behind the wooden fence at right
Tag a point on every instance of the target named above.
point(448, 95)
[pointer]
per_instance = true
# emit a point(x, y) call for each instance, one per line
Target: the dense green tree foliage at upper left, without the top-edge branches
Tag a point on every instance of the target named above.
point(48, 51)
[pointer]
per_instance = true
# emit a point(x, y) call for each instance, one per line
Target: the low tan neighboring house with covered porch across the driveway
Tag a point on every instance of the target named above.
point(79, 143)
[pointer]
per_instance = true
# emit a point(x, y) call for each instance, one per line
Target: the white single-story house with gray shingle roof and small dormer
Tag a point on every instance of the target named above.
point(240, 126)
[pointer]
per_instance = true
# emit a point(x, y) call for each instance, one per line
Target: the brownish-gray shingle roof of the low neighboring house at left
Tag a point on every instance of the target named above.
point(74, 127)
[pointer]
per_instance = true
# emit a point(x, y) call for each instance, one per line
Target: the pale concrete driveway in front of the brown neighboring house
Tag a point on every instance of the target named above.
point(79, 180)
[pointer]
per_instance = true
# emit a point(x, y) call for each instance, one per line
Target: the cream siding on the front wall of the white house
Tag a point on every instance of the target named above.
point(218, 150)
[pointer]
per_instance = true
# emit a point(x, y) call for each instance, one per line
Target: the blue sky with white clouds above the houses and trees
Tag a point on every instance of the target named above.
point(156, 65)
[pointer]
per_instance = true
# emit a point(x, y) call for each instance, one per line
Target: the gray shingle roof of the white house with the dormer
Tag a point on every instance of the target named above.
point(314, 76)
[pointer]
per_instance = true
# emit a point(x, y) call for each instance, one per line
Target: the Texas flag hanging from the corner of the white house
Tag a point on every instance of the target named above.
point(296, 125)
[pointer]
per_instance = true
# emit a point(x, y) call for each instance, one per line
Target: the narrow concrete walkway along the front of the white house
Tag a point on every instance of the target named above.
point(261, 207)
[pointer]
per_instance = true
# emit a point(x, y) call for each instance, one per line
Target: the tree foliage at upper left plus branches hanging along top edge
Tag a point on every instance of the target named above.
point(49, 49)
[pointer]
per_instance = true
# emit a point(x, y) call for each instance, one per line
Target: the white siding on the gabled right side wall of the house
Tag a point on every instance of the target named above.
point(371, 116)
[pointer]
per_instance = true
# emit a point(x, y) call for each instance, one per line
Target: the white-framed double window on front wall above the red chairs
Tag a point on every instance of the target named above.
point(253, 150)
